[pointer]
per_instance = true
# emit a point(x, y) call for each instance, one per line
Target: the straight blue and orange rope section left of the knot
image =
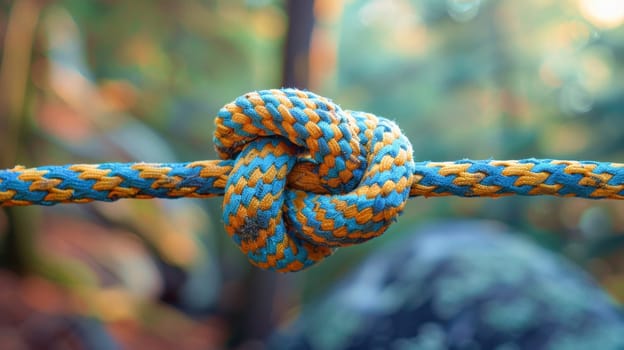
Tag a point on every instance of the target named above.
point(107, 182)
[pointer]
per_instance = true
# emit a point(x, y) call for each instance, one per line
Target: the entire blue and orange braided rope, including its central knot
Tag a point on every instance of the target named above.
point(300, 177)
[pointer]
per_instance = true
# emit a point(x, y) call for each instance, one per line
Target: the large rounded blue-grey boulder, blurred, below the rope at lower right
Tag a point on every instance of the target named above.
point(461, 285)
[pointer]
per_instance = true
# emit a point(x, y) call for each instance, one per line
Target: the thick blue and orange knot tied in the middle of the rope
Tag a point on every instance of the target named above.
point(362, 162)
